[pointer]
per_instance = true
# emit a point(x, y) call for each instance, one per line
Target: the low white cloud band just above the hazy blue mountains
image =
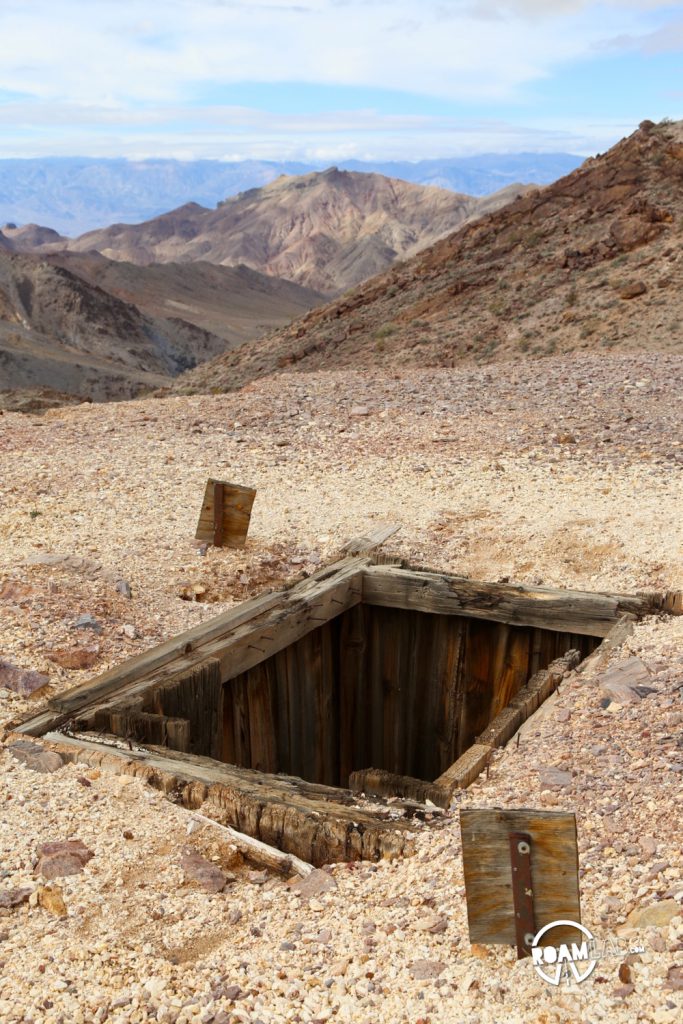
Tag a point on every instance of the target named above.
point(233, 134)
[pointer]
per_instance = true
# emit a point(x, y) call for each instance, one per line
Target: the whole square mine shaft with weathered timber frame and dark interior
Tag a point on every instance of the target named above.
point(405, 679)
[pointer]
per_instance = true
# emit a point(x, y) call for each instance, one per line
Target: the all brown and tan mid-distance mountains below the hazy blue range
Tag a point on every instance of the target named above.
point(127, 308)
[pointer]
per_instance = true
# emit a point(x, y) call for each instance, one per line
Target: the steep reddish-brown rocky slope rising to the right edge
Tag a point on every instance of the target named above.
point(590, 263)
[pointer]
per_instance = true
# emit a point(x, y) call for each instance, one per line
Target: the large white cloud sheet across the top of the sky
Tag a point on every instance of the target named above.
point(125, 52)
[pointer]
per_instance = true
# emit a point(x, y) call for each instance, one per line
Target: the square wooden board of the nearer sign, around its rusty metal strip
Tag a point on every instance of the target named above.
point(489, 876)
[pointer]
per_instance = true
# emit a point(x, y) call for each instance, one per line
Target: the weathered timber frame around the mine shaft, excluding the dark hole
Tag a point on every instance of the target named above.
point(317, 823)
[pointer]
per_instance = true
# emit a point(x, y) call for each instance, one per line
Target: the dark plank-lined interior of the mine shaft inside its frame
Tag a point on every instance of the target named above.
point(402, 691)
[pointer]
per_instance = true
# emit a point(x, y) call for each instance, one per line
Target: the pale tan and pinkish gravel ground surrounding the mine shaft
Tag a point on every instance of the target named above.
point(562, 473)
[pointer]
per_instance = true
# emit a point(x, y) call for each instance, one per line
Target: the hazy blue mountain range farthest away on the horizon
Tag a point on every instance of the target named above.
point(73, 195)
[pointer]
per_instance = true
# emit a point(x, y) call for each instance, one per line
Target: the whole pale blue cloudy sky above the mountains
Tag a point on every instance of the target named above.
point(333, 79)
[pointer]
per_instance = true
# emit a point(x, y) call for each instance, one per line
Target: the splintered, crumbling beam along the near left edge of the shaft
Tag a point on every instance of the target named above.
point(317, 824)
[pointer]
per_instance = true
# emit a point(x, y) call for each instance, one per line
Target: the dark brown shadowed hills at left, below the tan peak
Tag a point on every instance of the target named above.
point(82, 326)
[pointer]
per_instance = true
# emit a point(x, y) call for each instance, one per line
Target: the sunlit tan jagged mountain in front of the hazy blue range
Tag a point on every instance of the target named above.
point(325, 231)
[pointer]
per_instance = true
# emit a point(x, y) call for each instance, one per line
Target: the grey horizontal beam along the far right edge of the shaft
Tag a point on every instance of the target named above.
point(568, 612)
